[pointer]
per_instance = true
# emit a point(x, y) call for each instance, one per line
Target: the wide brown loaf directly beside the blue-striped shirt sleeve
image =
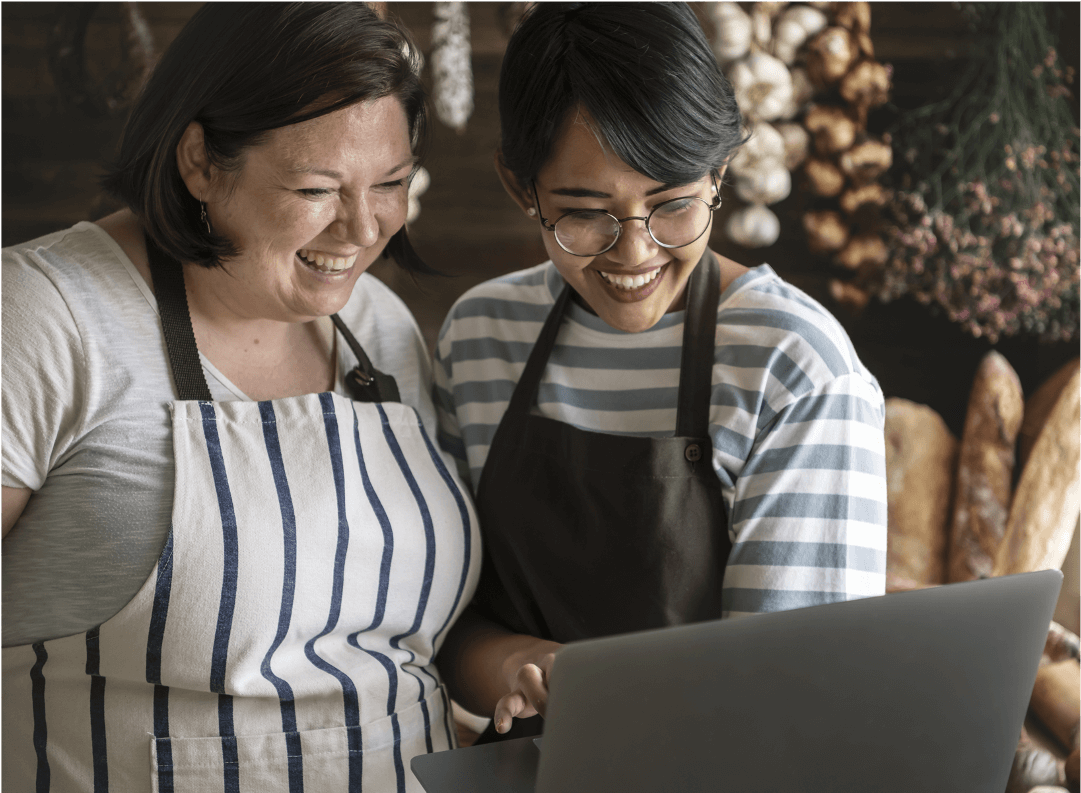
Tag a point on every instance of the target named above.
point(920, 463)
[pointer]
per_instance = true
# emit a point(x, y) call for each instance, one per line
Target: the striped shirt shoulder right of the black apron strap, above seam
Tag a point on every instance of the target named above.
point(768, 325)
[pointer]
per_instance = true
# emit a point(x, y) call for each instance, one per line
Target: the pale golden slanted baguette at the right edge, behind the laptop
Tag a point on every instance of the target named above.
point(1046, 505)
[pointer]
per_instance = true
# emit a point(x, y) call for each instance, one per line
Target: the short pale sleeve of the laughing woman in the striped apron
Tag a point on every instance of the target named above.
point(43, 378)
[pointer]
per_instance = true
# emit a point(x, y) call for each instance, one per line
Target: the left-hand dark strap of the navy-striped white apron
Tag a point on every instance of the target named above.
point(167, 275)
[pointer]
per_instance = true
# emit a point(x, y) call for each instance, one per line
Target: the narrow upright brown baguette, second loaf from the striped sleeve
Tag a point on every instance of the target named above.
point(985, 469)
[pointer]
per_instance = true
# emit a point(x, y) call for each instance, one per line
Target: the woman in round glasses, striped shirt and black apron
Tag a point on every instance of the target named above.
point(560, 386)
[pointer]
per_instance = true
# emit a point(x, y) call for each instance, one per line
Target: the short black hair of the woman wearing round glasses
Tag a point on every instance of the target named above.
point(645, 74)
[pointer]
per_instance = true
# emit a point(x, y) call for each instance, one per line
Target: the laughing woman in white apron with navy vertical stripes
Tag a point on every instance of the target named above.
point(231, 549)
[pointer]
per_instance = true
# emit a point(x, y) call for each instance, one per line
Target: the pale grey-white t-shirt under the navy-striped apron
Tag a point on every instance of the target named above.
point(85, 401)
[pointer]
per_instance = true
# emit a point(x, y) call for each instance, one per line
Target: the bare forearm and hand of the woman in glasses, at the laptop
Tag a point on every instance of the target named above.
point(491, 670)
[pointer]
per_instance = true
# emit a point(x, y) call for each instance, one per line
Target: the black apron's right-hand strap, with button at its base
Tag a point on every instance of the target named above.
point(697, 361)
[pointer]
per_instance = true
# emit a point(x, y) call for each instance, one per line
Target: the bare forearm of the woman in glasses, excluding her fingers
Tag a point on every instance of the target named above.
point(479, 661)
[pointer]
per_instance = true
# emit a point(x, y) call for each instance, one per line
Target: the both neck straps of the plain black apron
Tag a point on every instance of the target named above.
point(697, 361)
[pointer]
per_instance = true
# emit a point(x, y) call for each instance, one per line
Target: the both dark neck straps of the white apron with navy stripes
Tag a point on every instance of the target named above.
point(365, 383)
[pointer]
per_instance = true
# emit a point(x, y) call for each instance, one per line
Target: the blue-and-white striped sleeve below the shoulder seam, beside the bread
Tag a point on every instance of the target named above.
point(809, 515)
